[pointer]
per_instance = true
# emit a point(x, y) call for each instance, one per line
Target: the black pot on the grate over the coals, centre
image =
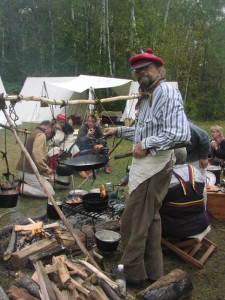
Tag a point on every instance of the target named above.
point(93, 202)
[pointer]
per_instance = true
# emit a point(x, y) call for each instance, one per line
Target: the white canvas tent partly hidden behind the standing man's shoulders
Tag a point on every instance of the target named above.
point(129, 111)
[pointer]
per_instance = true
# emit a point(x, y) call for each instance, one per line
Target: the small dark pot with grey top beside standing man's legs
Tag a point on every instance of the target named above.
point(107, 240)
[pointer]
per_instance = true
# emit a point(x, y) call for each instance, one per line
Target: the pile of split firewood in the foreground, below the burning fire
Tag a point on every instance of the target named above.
point(63, 279)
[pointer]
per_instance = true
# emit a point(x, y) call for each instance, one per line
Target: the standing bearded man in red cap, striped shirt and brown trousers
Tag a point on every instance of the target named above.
point(160, 123)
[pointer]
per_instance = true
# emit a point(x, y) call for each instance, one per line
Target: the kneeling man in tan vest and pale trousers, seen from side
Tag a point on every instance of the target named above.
point(36, 145)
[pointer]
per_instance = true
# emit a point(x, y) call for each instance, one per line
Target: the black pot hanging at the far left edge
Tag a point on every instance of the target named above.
point(8, 196)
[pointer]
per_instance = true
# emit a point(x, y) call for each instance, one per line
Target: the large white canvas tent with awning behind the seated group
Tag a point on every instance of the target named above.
point(63, 88)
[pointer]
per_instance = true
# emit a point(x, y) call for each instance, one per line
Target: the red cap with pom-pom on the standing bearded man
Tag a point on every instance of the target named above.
point(144, 59)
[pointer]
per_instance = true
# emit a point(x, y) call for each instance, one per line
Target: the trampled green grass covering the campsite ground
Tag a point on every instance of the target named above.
point(208, 282)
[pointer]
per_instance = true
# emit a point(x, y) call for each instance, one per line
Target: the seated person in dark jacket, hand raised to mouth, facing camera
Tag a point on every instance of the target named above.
point(90, 139)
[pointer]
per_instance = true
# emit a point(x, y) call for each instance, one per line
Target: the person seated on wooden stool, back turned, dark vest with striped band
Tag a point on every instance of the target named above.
point(183, 211)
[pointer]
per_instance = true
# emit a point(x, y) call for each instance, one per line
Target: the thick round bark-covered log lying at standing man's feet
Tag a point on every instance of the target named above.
point(174, 286)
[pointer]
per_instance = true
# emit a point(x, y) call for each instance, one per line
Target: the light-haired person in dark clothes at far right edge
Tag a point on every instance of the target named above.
point(217, 146)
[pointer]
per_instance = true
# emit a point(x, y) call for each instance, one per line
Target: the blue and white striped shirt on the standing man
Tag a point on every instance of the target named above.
point(162, 124)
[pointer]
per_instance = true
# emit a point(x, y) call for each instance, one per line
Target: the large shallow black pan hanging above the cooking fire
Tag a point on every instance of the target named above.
point(87, 162)
